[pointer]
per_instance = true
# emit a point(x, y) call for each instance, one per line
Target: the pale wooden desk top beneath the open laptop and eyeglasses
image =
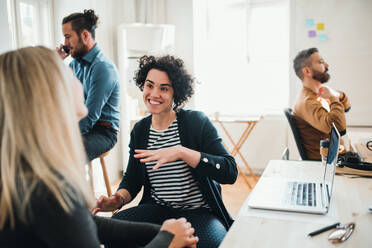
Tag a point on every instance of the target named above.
point(264, 228)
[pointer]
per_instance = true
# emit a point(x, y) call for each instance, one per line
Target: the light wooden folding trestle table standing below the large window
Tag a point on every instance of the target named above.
point(251, 123)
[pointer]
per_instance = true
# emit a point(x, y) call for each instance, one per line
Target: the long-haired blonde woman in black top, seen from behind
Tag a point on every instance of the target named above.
point(44, 198)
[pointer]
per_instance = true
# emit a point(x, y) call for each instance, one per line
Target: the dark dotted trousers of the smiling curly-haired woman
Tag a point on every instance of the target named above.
point(208, 227)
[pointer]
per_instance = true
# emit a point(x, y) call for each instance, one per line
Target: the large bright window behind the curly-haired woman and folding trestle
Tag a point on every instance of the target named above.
point(242, 57)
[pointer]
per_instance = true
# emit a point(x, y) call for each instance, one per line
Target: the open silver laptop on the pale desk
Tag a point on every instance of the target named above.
point(312, 196)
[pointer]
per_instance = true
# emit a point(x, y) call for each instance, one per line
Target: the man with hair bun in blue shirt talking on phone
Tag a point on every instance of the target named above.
point(100, 81)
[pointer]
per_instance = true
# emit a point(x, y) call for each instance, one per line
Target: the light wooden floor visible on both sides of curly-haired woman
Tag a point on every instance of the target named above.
point(233, 195)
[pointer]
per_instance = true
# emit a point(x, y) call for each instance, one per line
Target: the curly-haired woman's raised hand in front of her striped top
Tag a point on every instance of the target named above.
point(162, 156)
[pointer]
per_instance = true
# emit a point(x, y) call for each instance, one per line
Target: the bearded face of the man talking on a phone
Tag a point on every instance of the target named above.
point(73, 41)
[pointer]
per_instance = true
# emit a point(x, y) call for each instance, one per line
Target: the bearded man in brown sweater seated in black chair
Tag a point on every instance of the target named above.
point(317, 105)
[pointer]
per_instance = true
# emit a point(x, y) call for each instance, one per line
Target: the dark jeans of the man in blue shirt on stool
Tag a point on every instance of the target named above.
point(98, 141)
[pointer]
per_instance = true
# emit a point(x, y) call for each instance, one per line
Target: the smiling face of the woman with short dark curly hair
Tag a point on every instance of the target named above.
point(158, 92)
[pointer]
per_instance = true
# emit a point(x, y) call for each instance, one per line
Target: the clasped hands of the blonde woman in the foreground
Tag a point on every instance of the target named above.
point(182, 231)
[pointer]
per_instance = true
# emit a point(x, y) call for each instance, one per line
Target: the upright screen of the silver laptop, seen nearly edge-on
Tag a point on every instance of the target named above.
point(334, 142)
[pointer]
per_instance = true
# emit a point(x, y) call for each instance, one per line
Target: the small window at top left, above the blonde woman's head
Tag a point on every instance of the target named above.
point(32, 21)
